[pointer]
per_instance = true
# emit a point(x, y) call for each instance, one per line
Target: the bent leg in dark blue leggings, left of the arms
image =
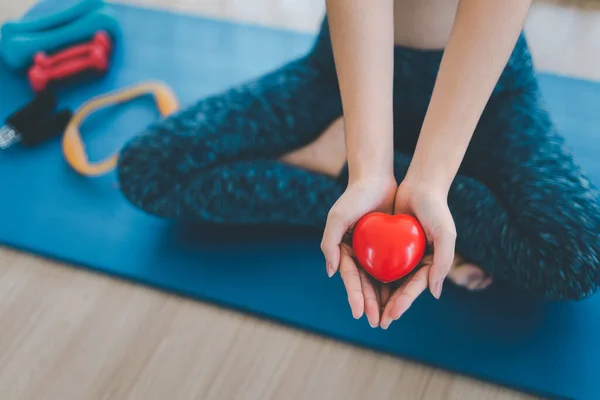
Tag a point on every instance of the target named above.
point(217, 161)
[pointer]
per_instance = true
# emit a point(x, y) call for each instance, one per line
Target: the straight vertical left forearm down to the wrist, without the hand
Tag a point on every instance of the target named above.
point(362, 35)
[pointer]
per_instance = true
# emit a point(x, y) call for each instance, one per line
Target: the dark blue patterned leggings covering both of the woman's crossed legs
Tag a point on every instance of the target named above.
point(524, 210)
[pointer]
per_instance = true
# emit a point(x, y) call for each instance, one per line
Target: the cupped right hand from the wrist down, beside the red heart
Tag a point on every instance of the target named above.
point(428, 203)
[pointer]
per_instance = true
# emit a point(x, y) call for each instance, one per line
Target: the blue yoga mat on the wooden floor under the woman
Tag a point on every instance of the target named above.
point(548, 349)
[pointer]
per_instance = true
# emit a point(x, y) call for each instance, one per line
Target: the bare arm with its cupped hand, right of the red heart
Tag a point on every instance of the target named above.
point(483, 37)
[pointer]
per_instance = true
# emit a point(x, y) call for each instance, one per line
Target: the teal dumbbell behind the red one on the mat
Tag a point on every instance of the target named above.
point(21, 40)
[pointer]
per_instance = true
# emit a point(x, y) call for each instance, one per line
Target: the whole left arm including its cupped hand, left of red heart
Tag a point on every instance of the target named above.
point(362, 36)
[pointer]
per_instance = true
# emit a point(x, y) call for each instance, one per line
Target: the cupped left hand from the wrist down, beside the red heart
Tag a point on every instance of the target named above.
point(360, 198)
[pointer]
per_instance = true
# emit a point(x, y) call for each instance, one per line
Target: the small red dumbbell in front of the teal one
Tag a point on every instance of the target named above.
point(94, 55)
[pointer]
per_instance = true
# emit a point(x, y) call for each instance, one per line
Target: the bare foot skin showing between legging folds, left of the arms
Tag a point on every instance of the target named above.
point(326, 155)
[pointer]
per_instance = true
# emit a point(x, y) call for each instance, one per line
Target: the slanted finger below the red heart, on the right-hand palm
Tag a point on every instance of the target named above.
point(404, 296)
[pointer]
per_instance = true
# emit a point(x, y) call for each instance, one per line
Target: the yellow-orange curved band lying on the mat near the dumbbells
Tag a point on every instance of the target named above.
point(72, 143)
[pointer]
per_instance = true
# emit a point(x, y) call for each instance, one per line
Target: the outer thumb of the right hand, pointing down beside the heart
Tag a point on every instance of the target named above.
point(443, 256)
